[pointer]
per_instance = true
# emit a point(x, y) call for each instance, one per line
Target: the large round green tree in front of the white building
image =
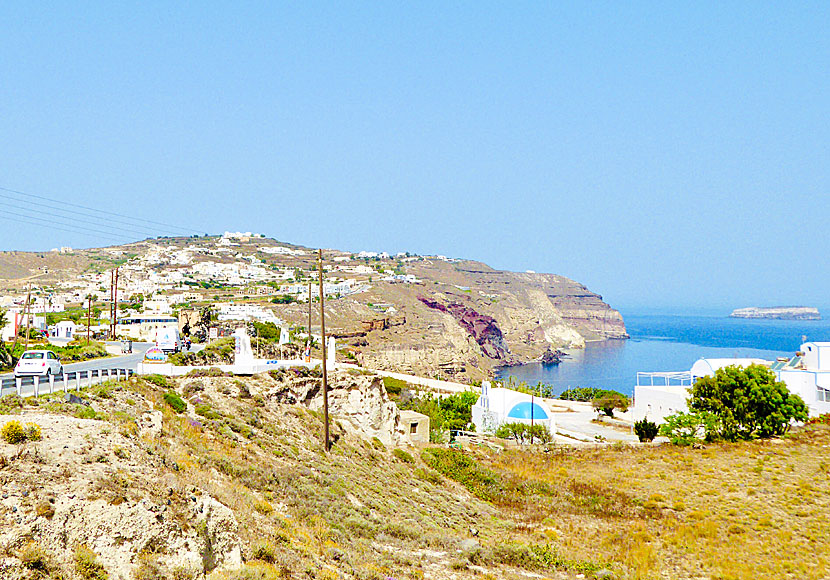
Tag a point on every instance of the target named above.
point(749, 402)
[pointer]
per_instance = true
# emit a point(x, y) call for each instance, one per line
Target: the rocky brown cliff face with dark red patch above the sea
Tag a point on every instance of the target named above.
point(465, 319)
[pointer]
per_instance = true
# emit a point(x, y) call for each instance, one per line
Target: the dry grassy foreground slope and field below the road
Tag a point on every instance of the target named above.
point(238, 486)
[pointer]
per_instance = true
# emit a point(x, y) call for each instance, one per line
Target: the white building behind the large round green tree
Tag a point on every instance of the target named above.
point(658, 395)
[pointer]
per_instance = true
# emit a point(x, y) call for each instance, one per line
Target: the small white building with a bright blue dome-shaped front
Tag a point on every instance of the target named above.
point(498, 406)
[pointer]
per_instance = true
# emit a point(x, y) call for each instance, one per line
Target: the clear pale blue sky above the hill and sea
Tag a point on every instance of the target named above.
point(669, 155)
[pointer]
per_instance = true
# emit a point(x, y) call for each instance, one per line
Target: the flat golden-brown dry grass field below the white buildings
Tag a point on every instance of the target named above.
point(670, 512)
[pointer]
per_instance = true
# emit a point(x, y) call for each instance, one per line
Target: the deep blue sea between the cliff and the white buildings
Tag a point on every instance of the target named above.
point(661, 342)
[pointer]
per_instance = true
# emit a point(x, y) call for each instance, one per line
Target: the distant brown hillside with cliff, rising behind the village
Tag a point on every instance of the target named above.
point(429, 315)
